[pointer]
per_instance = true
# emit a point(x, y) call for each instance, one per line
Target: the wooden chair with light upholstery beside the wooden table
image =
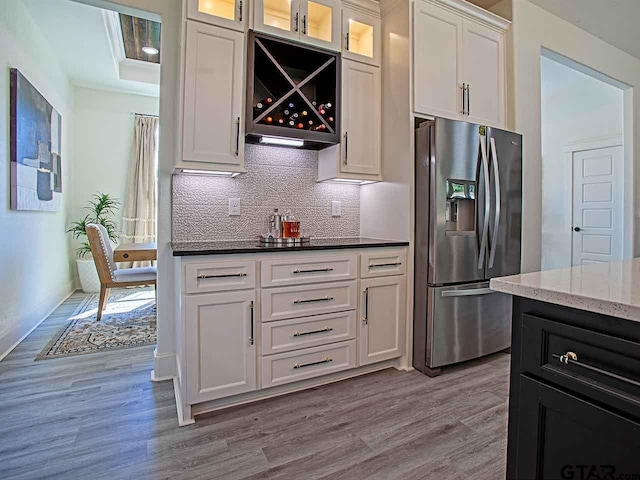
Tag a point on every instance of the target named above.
point(110, 276)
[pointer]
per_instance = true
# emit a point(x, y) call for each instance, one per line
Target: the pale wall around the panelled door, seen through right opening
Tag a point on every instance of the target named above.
point(575, 107)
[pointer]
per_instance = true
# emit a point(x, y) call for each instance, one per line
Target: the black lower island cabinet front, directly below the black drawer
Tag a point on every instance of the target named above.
point(562, 436)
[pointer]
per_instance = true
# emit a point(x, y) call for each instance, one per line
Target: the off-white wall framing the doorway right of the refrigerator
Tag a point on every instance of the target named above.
point(533, 30)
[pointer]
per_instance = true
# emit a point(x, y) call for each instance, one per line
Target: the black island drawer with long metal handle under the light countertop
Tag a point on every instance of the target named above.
point(603, 367)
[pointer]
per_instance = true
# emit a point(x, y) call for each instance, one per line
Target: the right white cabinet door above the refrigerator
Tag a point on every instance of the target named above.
point(483, 71)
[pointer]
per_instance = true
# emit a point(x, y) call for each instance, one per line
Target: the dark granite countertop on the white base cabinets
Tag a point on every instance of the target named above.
point(181, 249)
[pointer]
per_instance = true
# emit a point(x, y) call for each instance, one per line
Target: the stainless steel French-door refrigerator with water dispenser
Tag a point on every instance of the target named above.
point(468, 226)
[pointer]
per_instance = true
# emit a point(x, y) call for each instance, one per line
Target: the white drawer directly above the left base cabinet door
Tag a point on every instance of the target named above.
point(220, 276)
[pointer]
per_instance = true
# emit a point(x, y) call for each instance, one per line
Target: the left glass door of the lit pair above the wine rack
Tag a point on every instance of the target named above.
point(278, 17)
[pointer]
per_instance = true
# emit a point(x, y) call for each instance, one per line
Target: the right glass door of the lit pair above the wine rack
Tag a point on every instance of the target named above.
point(320, 23)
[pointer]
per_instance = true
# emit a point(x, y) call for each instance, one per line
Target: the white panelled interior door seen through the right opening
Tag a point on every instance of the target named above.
point(598, 209)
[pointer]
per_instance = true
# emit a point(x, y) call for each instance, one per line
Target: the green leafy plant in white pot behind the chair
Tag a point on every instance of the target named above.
point(101, 209)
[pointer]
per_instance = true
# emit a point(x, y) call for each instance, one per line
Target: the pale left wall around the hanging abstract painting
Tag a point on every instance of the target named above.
point(35, 260)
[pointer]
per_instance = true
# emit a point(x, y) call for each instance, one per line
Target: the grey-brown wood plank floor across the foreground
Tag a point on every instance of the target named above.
point(98, 416)
